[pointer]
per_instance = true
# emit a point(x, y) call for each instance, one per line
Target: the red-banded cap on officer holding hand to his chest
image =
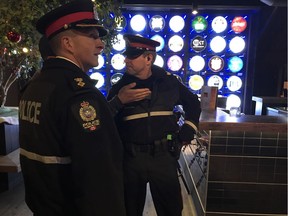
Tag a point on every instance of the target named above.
point(136, 45)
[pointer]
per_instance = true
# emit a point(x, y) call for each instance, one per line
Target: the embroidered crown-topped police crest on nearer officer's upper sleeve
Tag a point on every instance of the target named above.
point(88, 115)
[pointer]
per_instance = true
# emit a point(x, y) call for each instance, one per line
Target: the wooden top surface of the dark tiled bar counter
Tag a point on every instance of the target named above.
point(220, 120)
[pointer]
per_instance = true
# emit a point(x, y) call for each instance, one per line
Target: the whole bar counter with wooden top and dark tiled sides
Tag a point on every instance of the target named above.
point(238, 166)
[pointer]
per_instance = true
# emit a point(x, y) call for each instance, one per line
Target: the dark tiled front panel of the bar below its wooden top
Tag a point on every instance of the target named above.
point(247, 173)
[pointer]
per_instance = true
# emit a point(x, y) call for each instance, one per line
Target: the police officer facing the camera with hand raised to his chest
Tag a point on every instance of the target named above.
point(149, 129)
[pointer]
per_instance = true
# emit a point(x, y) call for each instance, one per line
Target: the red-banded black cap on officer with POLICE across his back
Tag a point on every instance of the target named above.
point(73, 15)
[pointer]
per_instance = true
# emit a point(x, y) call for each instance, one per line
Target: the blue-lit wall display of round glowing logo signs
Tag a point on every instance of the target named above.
point(210, 48)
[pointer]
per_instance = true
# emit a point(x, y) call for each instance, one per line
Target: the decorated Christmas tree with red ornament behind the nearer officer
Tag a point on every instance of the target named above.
point(19, 55)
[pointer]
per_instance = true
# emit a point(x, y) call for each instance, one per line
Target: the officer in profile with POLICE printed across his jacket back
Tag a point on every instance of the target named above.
point(70, 150)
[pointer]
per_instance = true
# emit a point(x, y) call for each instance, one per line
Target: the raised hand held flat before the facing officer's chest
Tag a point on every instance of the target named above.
point(127, 94)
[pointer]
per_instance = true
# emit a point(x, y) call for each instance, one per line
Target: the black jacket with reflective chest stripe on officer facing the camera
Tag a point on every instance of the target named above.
point(151, 119)
